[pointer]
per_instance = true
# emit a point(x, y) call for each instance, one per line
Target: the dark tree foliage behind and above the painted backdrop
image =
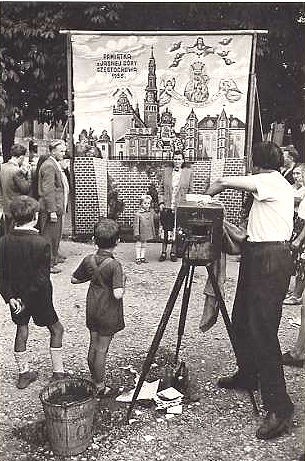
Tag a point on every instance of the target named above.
point(33, 53)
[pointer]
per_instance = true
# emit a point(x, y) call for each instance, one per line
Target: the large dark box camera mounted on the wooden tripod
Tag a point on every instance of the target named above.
point(199, 230)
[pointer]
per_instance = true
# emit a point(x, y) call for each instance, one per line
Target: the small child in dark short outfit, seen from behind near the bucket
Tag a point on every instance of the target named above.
point(104, 304)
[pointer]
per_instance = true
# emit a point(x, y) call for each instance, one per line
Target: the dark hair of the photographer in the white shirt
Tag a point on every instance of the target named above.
point(267, 155)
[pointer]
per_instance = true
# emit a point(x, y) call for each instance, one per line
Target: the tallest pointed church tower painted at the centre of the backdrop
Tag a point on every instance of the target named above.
point(151, 105)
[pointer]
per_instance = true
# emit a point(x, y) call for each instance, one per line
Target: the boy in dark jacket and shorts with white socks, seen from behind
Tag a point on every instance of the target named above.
point(26, 287)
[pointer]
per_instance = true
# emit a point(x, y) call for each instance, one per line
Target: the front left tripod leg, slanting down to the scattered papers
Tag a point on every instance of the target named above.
point(159, 333)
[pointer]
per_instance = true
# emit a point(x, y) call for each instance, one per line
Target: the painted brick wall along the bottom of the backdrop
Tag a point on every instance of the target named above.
point(133, 179)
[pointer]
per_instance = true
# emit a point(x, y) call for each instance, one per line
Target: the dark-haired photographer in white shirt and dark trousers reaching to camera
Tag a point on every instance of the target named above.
point(264, 274)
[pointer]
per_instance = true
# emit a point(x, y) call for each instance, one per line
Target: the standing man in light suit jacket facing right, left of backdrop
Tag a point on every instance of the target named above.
point(52, 191)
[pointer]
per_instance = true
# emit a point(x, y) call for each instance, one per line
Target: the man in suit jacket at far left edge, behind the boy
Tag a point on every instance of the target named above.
point(14, 180)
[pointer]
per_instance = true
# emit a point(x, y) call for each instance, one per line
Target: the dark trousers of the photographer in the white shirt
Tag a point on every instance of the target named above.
point(264, 275)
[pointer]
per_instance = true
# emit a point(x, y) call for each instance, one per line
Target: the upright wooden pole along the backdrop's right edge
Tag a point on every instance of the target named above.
point(251, 107)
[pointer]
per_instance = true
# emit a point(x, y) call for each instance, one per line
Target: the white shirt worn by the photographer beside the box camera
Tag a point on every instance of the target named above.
point(271, 215)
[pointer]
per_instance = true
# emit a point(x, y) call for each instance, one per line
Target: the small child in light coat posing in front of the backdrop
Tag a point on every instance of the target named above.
point(143, 228)
